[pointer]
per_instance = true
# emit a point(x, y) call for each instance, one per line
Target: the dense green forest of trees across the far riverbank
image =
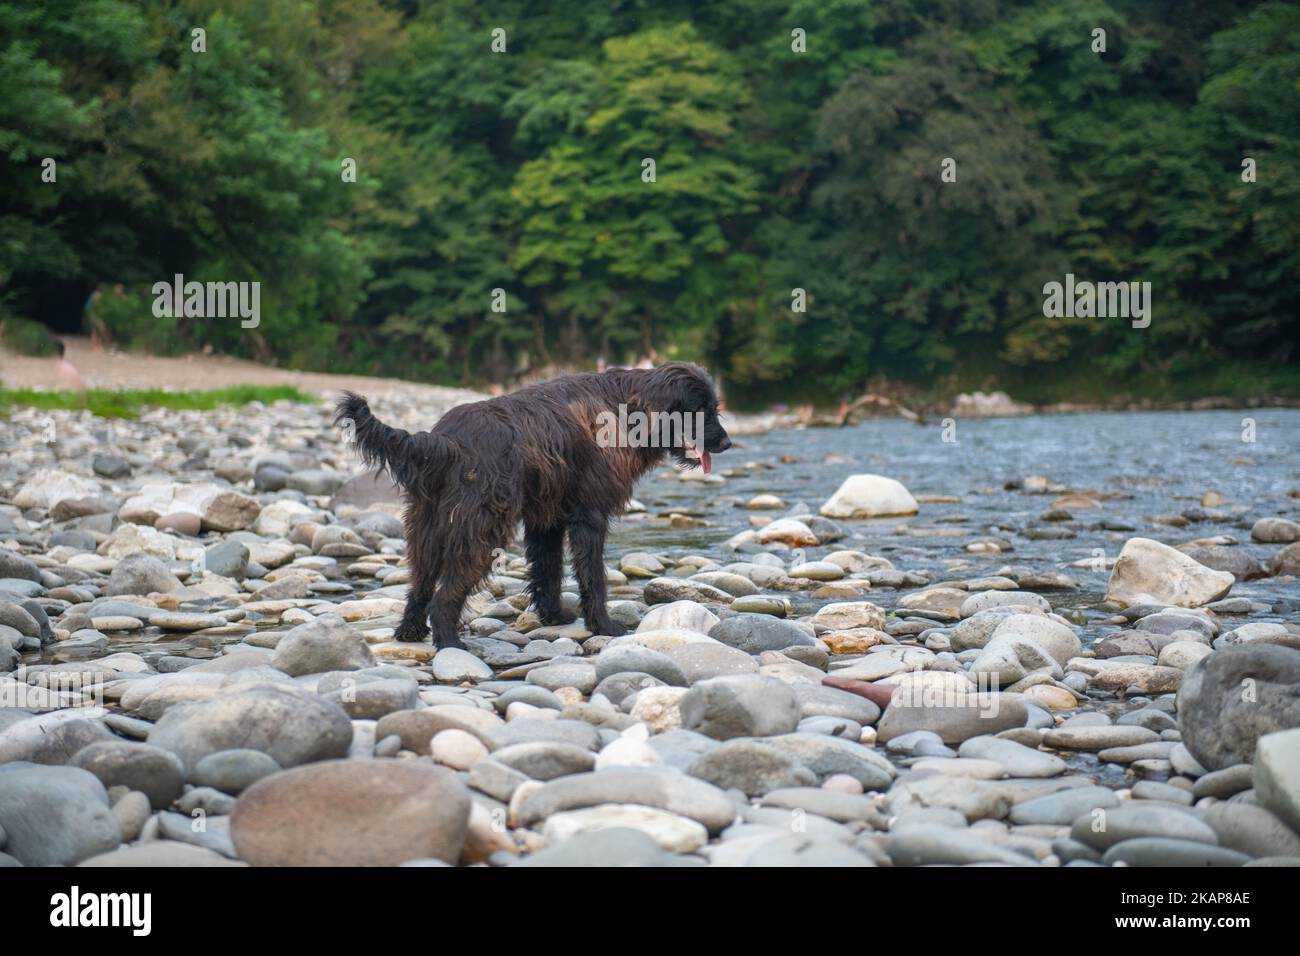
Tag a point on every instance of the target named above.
point(796, 146)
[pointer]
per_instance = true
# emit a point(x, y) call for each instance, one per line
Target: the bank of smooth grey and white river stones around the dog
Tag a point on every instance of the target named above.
point(198, 668)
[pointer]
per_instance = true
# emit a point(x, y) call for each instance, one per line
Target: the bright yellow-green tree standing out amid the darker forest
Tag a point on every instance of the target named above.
point(630, 261)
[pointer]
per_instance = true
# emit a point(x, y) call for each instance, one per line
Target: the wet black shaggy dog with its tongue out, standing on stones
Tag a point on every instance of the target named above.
point(541, 456)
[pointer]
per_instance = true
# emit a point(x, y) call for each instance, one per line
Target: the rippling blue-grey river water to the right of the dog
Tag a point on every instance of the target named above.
point(1142, 469)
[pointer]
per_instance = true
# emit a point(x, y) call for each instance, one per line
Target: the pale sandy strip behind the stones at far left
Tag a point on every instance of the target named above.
point(136, 371)
